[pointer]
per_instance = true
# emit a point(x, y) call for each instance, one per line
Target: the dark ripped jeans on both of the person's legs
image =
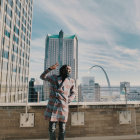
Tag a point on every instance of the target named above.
point(52, 128)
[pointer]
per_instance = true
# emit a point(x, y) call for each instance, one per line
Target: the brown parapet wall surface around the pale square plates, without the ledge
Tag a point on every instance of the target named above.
point(99, 120)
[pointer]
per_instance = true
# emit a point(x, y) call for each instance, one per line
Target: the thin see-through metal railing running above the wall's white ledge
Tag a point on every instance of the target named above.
point(102, 94)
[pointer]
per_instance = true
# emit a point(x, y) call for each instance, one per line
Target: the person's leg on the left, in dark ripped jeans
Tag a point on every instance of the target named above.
point(52, 128)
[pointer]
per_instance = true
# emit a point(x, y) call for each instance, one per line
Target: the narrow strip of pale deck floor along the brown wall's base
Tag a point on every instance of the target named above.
point(128, 137)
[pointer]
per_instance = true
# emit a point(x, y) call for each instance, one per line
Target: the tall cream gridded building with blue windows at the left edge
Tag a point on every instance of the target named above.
point(15, 39)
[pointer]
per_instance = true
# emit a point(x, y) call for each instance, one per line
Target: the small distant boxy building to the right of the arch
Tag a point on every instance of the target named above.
point(124, 90)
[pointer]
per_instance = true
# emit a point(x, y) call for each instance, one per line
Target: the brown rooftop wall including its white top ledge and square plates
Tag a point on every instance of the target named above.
point(87, 121)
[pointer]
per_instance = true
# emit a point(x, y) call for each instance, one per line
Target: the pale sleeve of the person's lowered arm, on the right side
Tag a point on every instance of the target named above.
point(72, 92)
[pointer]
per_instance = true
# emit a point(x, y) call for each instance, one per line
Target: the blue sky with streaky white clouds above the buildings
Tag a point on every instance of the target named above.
point(108, 33)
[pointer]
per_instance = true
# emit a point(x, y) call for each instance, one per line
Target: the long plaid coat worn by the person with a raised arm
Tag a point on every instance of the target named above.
point(61, 93)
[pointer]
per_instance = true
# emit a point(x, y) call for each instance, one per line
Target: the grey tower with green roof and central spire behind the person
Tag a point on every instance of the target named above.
point(63, 49)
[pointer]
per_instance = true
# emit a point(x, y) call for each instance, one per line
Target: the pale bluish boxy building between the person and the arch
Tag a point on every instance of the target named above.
point(87, 89)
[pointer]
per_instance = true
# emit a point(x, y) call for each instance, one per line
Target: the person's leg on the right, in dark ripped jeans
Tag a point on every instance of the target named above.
point(62, 127)
